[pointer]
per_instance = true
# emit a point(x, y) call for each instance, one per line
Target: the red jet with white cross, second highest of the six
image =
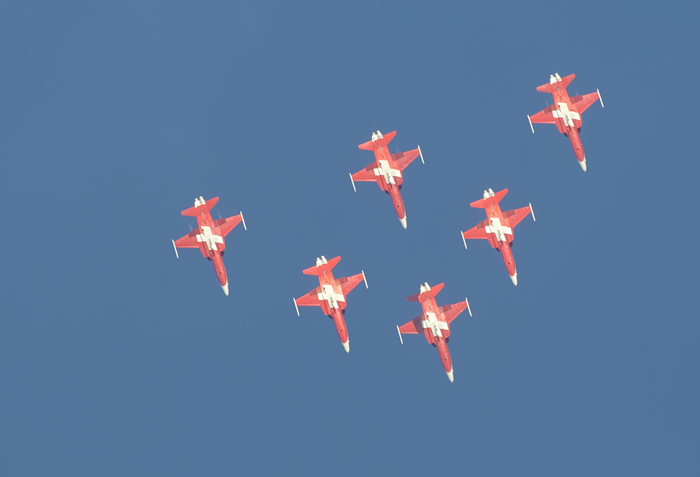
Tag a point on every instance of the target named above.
point(386, 170)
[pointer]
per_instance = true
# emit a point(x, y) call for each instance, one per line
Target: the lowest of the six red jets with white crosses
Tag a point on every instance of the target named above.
point(434, 322)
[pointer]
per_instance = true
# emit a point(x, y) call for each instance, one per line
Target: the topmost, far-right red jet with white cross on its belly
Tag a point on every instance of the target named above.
point(565, 112)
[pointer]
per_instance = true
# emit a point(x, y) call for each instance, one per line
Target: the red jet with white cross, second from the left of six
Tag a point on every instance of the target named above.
point(330, 294)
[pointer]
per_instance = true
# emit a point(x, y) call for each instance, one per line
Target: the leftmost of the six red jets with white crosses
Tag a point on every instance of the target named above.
point(208, 237)
